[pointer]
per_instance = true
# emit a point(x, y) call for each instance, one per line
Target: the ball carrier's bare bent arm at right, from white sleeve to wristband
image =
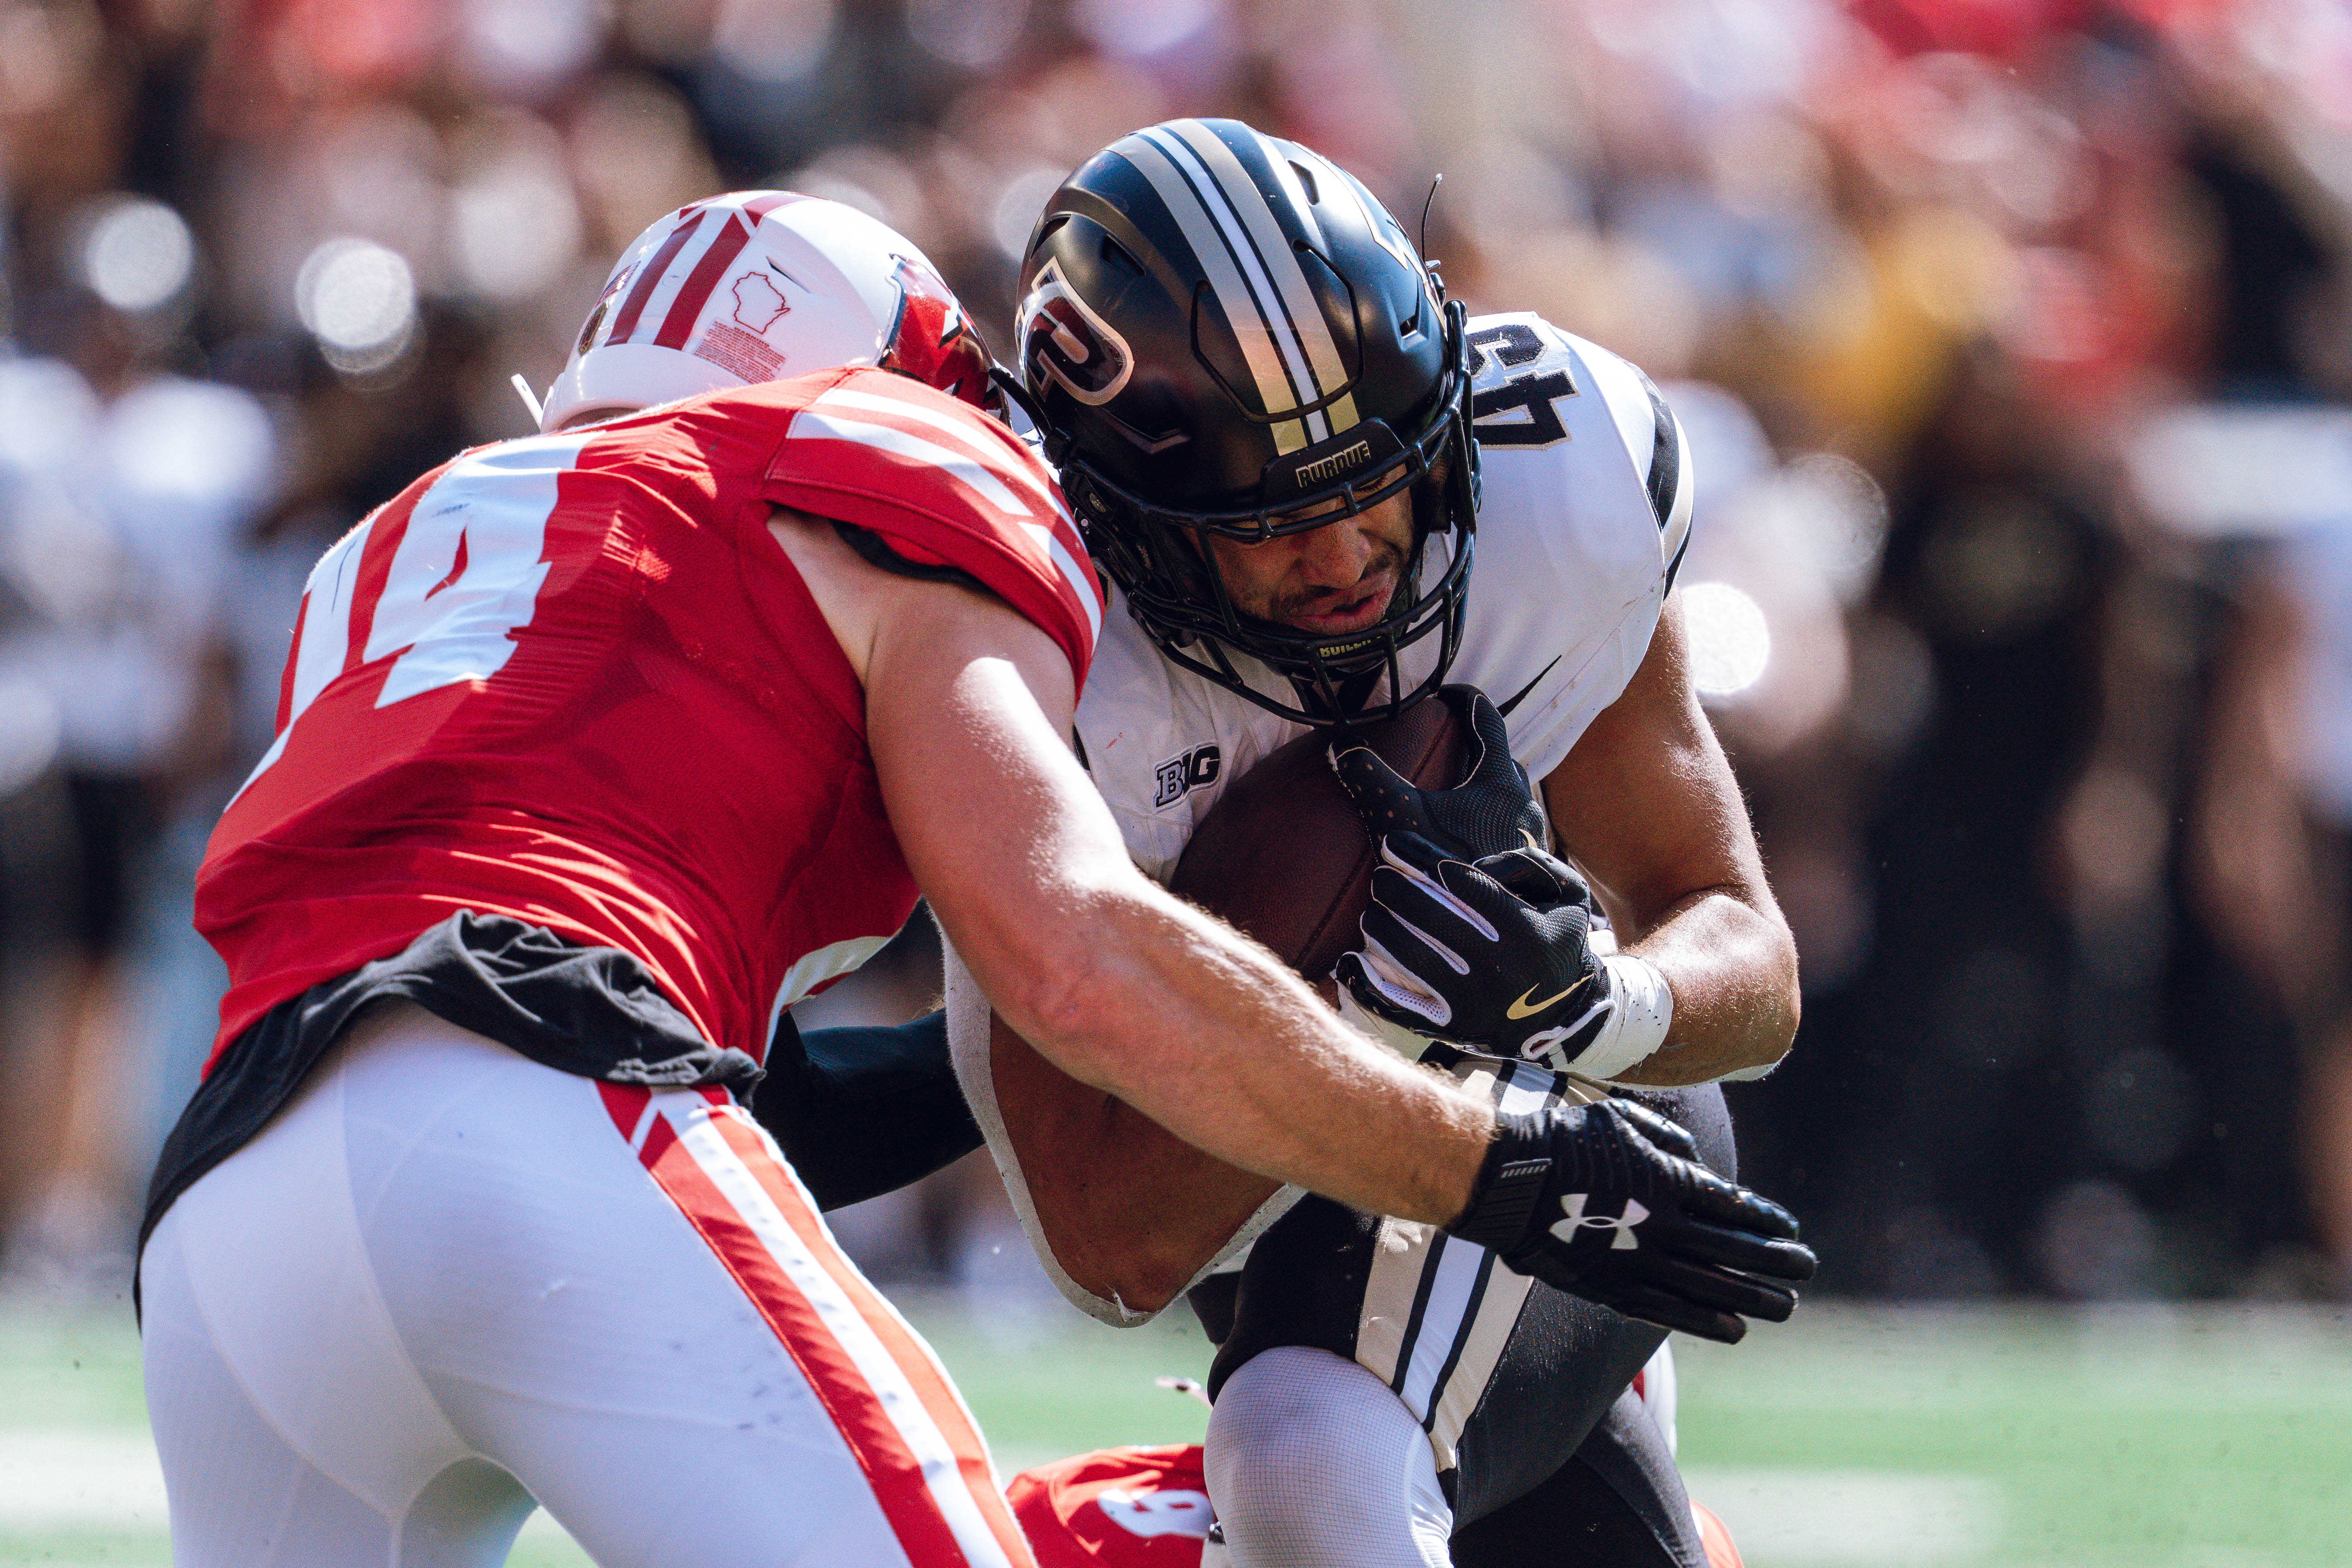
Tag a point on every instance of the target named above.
point(1650, 808)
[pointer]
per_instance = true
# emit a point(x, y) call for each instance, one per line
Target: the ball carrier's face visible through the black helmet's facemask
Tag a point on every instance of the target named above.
point(1325, 582)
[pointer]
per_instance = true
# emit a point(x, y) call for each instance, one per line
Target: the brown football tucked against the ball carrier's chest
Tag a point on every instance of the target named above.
point(1283, 855)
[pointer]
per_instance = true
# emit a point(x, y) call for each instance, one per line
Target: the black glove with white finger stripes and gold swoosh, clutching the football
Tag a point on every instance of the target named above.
point(1492, 956)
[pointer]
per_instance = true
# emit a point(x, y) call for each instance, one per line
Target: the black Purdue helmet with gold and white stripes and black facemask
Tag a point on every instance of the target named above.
point(1220, 330)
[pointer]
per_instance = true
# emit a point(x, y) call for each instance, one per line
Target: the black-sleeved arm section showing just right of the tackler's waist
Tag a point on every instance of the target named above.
point(864, 1111)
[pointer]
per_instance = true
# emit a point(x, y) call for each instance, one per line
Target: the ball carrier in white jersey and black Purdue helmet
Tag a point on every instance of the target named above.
point(1325, 492)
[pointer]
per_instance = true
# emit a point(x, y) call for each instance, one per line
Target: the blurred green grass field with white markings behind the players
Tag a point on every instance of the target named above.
point(1852, 1438)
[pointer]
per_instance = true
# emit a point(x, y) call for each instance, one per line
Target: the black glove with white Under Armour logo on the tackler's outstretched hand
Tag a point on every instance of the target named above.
point(1610, 1202)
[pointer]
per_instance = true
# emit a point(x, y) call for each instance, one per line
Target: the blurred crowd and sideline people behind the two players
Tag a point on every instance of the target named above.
point(2012, 340)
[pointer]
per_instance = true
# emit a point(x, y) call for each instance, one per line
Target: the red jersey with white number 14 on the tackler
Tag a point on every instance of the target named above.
point(575, 681)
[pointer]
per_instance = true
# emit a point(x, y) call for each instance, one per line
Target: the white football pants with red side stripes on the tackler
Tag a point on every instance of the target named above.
point(448, 1282)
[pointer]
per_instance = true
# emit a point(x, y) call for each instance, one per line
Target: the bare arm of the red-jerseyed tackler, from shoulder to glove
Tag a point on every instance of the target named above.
point(1118, 984)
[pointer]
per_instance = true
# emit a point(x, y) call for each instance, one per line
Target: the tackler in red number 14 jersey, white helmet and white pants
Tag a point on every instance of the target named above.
point(596, 753)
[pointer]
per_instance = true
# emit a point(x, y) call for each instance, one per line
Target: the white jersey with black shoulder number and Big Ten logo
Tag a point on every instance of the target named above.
point(1582, 521)
